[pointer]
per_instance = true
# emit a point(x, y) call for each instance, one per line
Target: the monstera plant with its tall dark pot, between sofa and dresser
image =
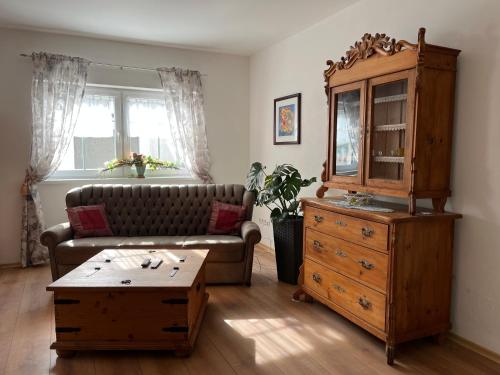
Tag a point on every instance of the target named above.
point(278, 191)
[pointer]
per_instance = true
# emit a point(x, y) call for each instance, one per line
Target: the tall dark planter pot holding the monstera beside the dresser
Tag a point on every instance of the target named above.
point(288, 248)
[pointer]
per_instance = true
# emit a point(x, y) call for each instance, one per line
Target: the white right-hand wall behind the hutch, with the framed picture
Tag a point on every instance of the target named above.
point(296, 65)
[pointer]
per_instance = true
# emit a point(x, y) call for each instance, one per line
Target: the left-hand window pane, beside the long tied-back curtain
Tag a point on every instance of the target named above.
point(94, 140)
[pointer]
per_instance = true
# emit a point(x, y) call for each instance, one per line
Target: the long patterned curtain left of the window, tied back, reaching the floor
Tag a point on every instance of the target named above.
point(57, 90)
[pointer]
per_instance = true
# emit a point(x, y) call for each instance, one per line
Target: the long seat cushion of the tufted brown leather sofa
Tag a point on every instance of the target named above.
point(222, 248)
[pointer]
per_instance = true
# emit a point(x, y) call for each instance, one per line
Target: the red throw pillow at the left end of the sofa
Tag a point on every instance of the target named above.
point(89, 221)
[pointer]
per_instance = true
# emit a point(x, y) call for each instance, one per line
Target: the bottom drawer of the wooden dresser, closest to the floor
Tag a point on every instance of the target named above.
point(354, 297)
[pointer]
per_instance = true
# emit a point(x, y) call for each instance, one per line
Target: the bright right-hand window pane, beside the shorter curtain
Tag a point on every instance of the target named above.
point(148, 127)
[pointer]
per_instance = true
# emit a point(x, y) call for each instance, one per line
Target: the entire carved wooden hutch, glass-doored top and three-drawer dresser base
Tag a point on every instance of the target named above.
point(390, 133)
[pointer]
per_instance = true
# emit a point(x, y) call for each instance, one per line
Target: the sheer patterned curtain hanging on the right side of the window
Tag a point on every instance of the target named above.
point(186, 116)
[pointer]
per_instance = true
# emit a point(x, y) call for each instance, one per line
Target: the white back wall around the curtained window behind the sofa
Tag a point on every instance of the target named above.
point(226, 102)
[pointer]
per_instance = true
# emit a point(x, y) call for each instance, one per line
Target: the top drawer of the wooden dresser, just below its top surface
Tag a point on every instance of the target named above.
point(364, 232)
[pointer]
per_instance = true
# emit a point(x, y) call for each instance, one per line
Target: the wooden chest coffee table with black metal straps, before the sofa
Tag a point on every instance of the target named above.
point(111, 303)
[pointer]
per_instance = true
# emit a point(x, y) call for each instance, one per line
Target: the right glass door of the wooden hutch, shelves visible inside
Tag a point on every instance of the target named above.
point(389, 130)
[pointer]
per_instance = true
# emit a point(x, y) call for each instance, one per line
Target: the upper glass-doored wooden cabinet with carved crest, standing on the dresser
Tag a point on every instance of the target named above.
point(391, 119)
